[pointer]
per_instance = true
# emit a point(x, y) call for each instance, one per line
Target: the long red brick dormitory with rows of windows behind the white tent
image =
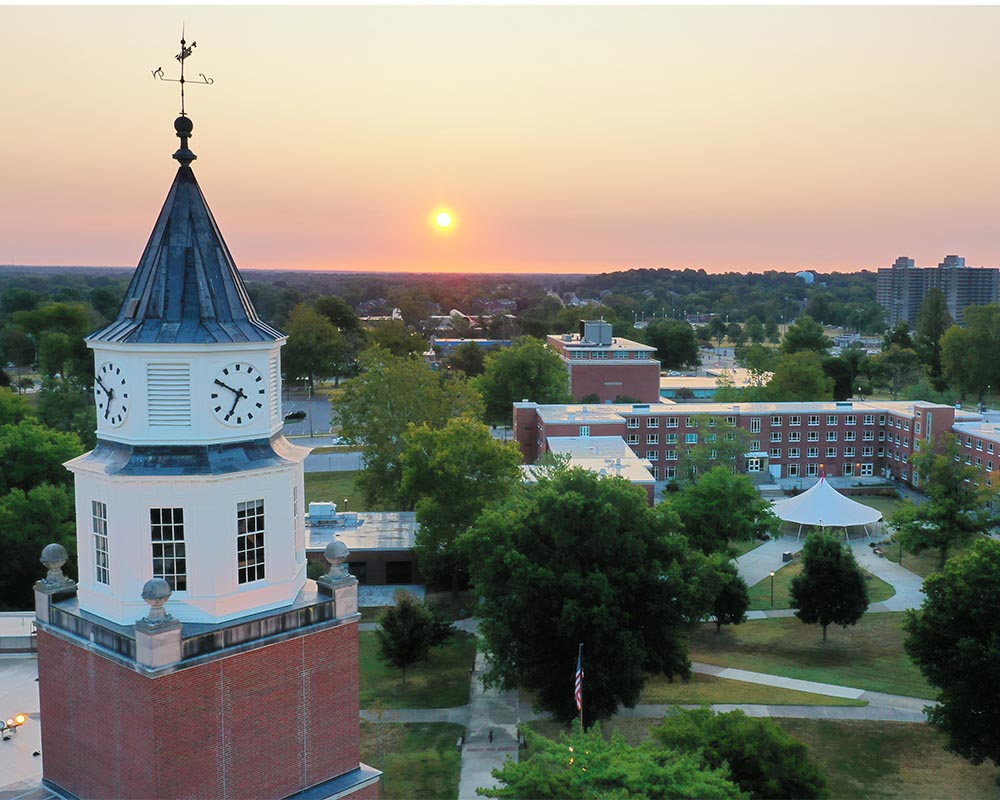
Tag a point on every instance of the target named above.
point(788, 440)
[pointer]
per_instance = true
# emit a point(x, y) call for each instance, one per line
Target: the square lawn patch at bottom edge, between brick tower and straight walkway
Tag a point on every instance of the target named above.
point(419, 760)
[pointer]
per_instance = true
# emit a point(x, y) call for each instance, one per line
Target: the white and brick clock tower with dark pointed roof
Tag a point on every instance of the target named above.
point(193, 658)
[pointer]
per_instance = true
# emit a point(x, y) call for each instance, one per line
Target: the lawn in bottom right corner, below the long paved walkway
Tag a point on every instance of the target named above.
point(861, 759)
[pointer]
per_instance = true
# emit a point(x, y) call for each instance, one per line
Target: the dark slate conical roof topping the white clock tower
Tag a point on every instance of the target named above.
point(186, 288)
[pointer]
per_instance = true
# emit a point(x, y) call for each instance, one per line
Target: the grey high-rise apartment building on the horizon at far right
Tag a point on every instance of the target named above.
point(902, 287)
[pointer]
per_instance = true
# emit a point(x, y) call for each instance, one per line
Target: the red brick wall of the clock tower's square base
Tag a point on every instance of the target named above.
point(264, 723)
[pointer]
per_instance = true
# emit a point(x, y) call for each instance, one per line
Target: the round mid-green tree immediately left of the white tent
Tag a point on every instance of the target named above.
point(721, 506)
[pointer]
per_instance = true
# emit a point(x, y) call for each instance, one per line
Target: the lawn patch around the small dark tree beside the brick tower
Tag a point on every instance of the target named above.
point(440, 682)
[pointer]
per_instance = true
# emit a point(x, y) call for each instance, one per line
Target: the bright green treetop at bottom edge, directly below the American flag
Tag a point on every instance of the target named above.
point(584, 766)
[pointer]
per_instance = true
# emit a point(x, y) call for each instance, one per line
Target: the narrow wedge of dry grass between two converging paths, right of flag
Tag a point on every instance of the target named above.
point(709, 689)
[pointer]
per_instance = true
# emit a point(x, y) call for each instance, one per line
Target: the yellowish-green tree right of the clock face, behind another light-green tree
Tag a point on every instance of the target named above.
point(376, 408)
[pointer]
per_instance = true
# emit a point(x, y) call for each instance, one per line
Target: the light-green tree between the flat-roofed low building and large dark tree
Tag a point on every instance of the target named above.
point(449, 475)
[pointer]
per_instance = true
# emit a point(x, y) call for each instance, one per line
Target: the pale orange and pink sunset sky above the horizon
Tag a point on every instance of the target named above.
point(561, 139)
